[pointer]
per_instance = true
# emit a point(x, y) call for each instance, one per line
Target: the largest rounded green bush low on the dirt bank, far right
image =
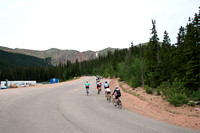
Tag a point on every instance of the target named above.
point(178, 99)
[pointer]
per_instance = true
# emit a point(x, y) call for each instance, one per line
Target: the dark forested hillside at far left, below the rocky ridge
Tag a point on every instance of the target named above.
point(8, 59)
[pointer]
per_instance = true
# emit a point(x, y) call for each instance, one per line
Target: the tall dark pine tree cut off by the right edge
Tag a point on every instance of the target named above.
point(192, 54)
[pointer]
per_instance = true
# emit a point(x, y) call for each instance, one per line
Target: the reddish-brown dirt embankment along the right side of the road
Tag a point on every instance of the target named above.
point(155, 107)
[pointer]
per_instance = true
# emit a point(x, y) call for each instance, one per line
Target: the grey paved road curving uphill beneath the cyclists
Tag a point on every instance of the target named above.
point(67, 108)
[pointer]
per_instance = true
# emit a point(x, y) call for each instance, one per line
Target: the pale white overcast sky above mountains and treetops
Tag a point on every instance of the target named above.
point(89, 24)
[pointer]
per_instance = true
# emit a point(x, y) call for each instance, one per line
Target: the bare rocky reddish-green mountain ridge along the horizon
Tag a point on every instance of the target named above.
point(60, 56)
